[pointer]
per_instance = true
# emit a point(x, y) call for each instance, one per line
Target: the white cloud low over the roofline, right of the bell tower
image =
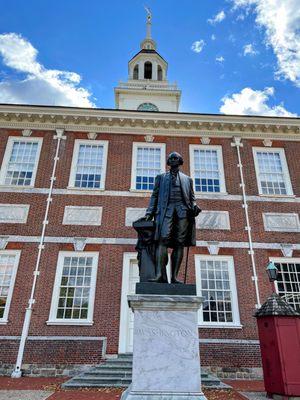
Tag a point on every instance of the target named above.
point(253, 102)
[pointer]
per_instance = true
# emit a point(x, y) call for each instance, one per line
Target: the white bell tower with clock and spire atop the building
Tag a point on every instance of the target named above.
point(147, 87)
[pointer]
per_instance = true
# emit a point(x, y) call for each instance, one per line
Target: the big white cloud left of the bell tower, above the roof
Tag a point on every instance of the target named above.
point(40, 85)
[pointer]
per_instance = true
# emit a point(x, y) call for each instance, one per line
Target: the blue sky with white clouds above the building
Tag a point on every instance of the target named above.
point(227, 56)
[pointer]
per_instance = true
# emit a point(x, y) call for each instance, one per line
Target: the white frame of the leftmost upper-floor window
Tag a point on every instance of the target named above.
point(9, 146)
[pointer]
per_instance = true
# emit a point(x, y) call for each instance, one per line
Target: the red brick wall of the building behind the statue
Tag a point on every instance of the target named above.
point(108, 286)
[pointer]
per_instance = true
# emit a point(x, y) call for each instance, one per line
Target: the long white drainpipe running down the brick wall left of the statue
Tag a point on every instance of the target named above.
point(17, 372)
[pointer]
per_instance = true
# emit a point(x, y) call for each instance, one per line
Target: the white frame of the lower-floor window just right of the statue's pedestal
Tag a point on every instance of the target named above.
point(235, 308)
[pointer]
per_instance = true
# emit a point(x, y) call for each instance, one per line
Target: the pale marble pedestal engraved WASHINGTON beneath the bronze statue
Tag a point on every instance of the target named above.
point(166, 363)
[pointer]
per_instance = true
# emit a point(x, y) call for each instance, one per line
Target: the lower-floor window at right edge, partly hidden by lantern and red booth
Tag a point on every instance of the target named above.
point(288, 282)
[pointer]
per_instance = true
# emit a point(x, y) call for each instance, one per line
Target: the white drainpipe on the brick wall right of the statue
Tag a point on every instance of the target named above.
point(237, 143)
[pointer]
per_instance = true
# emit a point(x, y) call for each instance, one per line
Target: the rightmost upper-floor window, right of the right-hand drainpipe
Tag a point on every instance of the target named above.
point(272, 171)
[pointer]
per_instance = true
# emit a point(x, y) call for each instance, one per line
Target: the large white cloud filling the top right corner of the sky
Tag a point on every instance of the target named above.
point(281, 21)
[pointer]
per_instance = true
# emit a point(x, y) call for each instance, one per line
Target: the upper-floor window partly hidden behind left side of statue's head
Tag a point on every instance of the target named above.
point(148, 160)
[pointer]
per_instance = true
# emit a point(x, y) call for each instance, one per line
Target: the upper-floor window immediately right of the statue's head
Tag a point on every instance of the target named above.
point(207, 169)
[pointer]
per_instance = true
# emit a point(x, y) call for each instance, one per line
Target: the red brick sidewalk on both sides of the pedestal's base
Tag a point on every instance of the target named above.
point(49, 388)
